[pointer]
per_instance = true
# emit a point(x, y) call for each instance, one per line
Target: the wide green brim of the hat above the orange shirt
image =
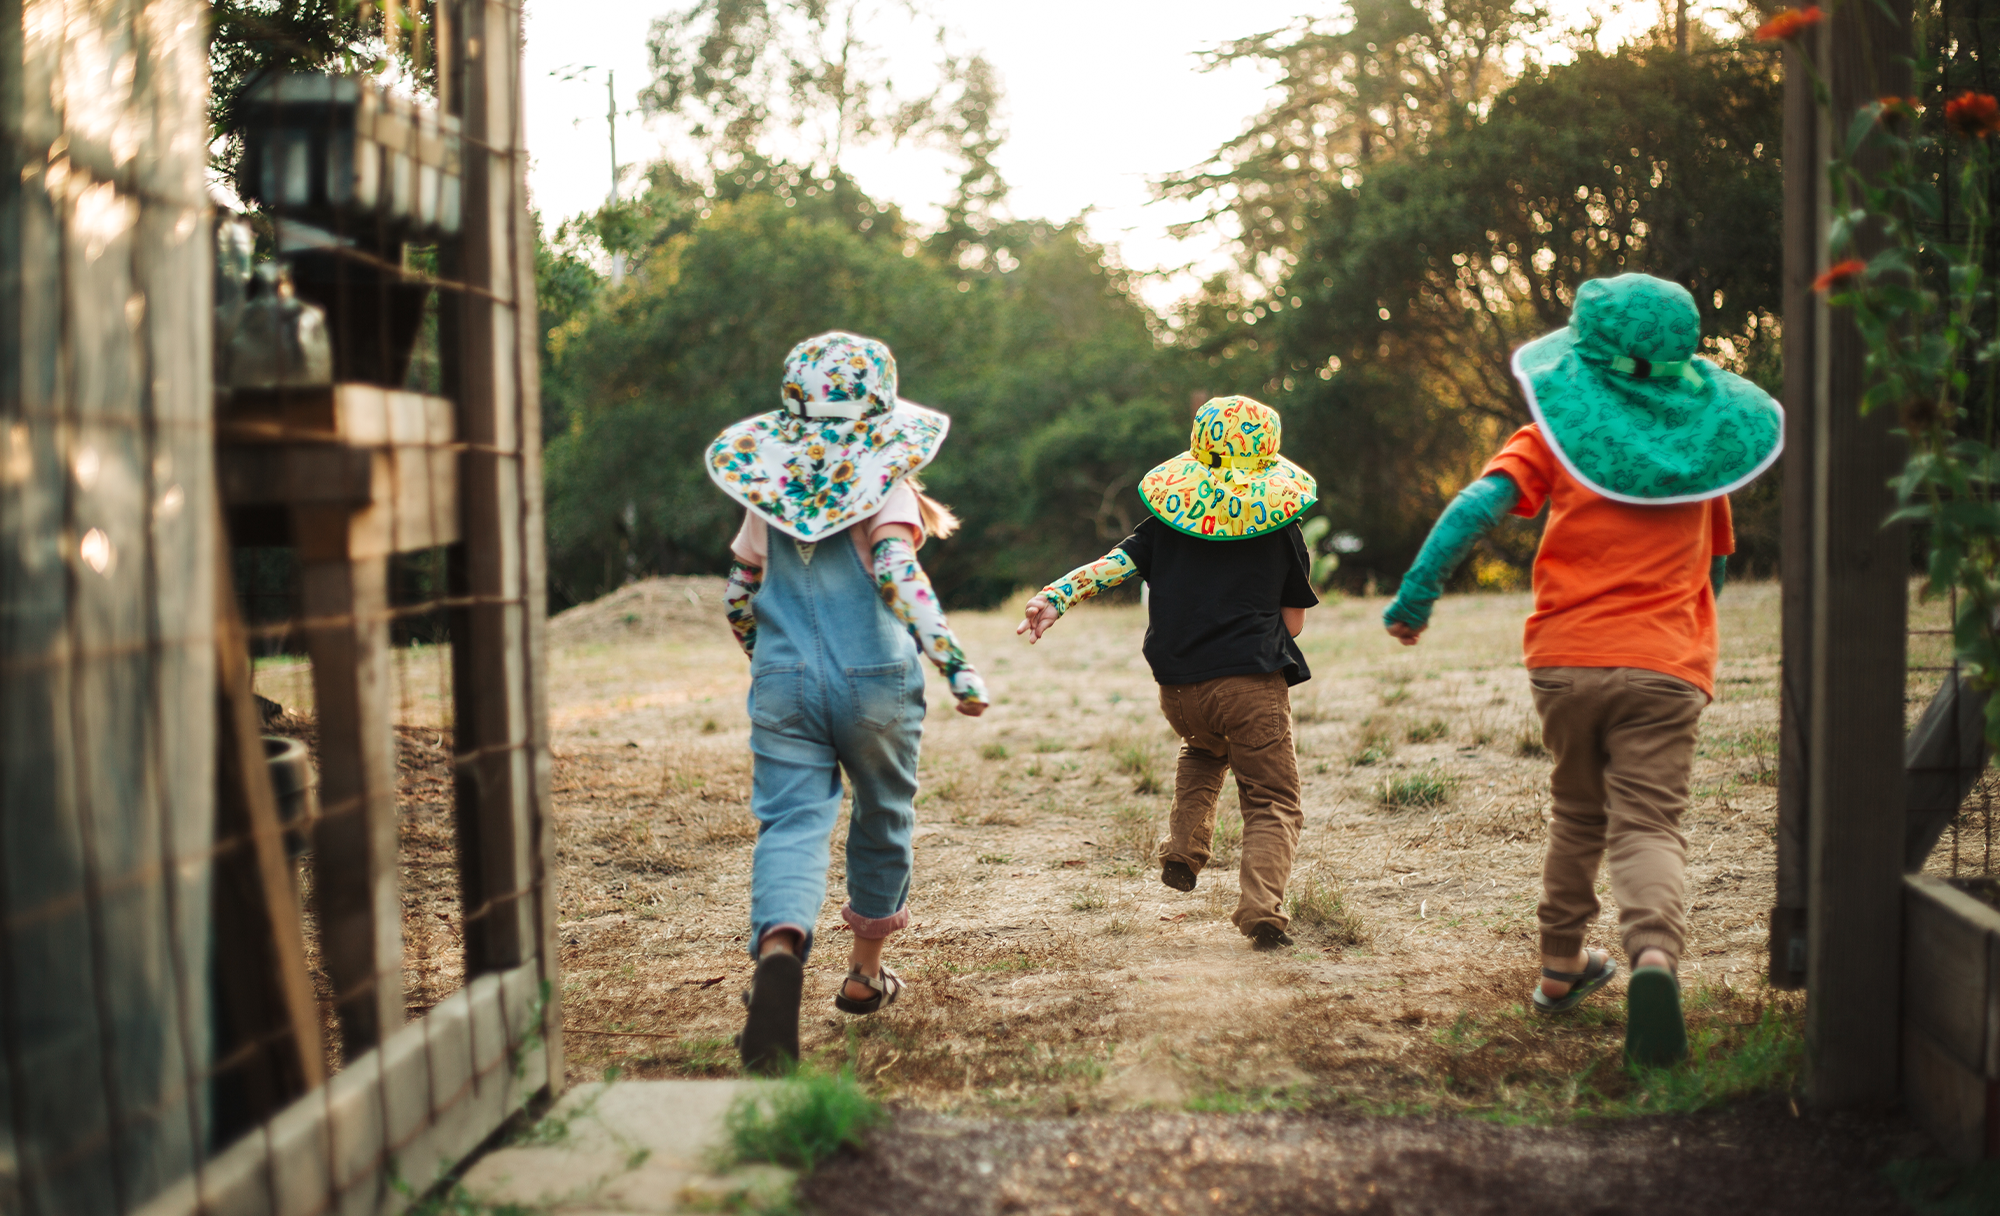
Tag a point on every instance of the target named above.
point(1649, 441)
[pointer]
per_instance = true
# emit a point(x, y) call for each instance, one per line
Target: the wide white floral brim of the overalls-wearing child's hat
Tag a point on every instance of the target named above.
point(815, 477)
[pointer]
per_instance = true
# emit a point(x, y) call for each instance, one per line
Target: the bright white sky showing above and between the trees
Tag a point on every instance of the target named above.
point(1101, 99)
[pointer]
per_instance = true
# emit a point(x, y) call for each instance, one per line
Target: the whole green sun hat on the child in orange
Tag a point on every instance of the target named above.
point(1629, 407)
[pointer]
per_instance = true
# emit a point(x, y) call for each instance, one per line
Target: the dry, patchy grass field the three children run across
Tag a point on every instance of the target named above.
point(1051, 971)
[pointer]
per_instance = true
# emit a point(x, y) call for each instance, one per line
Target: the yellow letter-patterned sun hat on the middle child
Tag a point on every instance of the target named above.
point(1231, 483)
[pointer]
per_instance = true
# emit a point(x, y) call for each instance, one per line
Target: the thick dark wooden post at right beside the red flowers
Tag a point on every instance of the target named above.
point(1857, 679)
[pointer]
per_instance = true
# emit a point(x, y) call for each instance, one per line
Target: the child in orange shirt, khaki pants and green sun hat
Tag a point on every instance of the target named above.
point(1635, 449)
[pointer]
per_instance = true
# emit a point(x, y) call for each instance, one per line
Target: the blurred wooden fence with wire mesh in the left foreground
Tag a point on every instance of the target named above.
point(207, 993)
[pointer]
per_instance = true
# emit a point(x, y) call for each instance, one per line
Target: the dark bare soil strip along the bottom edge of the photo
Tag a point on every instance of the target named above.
point(1753, 1159)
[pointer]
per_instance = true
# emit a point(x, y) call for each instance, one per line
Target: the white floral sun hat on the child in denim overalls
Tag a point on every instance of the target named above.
point(837, 447)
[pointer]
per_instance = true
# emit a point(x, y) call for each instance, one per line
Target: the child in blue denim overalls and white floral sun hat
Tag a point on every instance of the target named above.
point(833, 611)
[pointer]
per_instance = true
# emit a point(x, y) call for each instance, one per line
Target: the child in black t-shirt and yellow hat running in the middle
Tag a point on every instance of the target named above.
point(1229, 583)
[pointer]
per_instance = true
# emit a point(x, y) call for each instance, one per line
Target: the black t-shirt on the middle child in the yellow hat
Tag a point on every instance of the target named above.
point(1213, 605)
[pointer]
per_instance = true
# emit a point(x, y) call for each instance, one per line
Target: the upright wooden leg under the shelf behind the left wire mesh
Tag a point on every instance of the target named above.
point(355, 847)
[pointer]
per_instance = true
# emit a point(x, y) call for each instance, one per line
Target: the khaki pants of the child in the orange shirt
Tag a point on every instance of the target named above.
point(1625, 749)
